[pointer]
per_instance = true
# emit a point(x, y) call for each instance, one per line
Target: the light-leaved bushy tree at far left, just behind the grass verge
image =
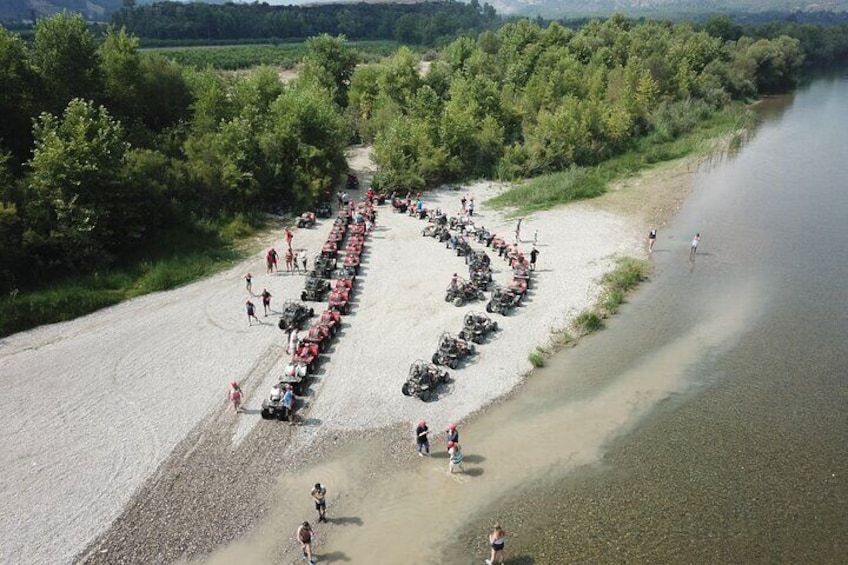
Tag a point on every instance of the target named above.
point(77, 182)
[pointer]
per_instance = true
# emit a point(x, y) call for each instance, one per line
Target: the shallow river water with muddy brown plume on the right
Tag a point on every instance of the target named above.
point(707, 424)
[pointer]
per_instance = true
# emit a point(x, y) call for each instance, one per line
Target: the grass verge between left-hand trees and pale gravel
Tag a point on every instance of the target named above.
point(177, 258)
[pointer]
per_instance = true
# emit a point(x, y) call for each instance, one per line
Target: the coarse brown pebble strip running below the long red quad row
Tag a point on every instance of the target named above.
point(206, 494)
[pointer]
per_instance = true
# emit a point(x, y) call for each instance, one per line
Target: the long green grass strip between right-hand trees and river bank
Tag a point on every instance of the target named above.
point(579, 183)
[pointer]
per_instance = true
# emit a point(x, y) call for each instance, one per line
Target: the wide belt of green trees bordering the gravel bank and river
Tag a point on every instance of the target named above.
point(107, 151)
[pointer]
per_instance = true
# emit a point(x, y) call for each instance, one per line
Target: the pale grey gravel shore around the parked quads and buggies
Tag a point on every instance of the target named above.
point(107, 405)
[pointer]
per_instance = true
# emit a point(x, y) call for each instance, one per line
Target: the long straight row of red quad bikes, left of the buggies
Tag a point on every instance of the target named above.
point(321, 281)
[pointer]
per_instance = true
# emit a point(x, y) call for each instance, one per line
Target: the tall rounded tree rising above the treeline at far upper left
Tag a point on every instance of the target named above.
point(65, 56)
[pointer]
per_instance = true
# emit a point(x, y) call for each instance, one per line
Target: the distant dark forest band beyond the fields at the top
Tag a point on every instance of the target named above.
point(424, 23)
